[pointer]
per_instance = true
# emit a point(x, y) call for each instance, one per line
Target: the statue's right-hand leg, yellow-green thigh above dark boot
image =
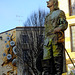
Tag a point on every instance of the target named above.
point(58, 59)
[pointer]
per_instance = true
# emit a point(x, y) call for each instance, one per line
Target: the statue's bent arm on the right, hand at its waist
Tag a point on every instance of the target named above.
point(62, 24)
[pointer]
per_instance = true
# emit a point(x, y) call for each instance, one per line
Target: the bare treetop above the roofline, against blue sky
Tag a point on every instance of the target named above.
point(36, 18)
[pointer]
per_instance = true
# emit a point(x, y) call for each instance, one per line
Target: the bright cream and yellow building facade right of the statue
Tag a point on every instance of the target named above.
point(68, 6)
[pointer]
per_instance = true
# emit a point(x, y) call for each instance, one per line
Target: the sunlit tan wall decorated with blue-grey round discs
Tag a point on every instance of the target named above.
point(7, 52)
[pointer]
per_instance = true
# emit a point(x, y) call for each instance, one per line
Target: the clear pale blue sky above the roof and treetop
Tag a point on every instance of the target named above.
point(14, 13)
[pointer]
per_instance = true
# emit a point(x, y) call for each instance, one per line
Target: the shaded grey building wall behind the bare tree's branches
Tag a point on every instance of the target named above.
point(29, 43)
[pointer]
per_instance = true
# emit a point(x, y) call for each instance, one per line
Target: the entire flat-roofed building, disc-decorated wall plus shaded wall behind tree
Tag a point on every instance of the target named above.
point(18, 46)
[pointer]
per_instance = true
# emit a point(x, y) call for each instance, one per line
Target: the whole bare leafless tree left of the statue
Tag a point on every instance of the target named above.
point(27, 53)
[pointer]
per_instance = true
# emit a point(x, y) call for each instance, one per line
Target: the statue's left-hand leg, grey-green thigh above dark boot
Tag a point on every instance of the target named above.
point(47, 62)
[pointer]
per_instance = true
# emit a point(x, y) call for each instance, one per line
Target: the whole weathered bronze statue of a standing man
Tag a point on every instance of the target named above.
point(53, 51)
